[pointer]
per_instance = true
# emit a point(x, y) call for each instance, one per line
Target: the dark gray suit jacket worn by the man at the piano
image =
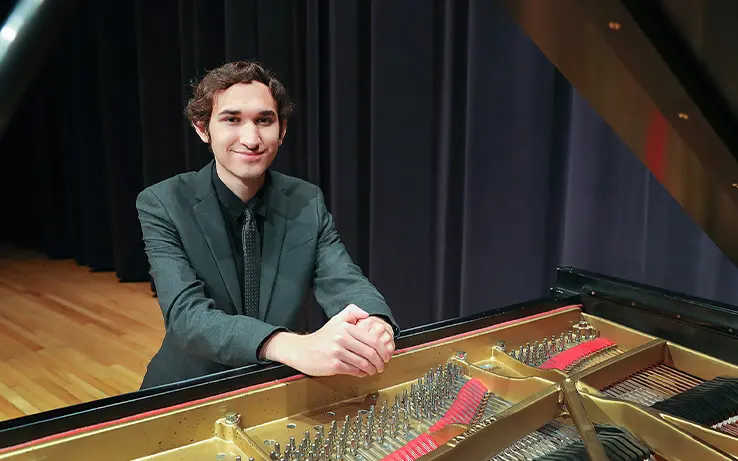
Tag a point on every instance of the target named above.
point(193, 269)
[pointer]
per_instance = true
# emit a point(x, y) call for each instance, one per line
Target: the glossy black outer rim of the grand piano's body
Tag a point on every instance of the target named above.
point(572, 286)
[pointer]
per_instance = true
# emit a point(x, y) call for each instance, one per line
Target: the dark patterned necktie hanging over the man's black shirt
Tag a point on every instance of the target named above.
point(251, 263)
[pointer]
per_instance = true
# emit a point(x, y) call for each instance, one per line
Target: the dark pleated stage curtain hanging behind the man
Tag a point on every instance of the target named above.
point(460, 166)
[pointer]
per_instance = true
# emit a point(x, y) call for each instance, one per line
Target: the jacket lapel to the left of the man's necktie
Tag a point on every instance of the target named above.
point(209, 217)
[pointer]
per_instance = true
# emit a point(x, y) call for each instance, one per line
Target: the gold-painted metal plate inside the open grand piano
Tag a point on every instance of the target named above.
point(463, 397)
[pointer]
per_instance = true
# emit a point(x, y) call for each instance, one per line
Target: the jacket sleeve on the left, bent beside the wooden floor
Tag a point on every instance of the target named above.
point(190, 317)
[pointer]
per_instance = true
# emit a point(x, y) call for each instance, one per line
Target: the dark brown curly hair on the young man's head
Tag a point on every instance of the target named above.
point(200, 107)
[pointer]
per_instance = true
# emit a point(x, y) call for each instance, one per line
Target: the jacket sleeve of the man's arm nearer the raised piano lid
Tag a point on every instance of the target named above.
point(339, 282)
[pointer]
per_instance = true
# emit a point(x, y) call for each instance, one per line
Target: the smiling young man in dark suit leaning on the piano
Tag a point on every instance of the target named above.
point(234, 247)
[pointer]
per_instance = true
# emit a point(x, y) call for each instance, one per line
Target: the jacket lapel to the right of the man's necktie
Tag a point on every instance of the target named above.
point(274, 230)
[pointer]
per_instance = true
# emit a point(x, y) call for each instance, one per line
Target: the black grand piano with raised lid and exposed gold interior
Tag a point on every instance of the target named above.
point(600, 369)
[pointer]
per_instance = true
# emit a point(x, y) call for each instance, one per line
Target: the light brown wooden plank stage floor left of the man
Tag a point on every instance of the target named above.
point(69, 335)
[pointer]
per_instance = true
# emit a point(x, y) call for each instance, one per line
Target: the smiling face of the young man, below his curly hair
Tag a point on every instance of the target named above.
point(244, 131)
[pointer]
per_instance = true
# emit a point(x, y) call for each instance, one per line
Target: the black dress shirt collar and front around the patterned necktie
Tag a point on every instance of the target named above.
point(232, 208)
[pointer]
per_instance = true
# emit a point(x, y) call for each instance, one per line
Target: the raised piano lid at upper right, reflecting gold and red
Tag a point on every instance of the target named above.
point(664, 75)
